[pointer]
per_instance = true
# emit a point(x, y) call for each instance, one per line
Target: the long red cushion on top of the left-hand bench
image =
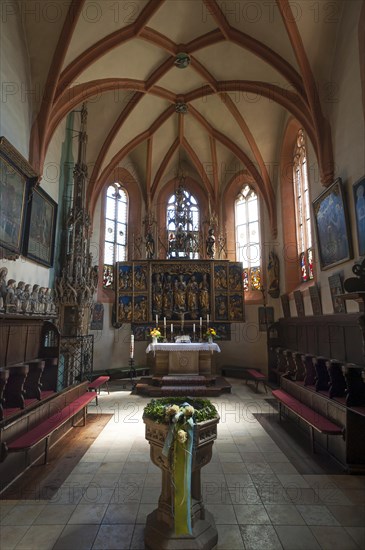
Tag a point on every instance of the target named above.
point(46, 427)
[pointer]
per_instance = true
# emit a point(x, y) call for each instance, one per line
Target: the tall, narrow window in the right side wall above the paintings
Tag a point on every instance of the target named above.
point(302, 207)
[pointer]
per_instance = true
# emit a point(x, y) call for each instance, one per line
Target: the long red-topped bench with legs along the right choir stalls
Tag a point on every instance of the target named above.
point(315, 420)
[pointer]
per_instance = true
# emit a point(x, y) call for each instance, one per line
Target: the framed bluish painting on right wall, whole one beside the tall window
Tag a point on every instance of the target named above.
point(332, 226)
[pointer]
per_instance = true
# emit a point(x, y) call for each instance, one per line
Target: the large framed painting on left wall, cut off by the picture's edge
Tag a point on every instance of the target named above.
point(16, 179)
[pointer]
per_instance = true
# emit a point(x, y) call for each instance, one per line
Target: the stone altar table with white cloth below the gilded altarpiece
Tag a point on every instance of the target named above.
point(182, 359)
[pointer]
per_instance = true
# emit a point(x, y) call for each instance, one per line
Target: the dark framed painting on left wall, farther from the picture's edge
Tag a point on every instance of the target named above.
point(41, 228)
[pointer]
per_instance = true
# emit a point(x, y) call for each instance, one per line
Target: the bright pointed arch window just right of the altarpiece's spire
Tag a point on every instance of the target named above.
point(248, 245)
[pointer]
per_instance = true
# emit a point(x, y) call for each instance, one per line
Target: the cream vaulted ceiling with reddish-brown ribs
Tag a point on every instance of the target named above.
point(251, 64)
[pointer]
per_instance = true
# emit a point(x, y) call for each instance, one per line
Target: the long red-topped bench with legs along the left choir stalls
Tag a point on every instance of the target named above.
point(45, 429)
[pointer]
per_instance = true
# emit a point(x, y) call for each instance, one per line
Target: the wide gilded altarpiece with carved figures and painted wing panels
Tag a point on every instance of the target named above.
point(181, 291)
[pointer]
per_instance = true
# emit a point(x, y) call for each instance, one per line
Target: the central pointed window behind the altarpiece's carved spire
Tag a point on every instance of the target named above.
point(182, 221)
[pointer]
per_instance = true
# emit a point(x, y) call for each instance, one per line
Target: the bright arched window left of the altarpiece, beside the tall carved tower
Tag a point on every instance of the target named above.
point(115, 240)
